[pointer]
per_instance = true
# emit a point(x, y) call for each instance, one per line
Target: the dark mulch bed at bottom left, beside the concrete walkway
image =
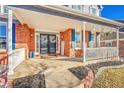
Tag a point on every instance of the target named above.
point(34, 81)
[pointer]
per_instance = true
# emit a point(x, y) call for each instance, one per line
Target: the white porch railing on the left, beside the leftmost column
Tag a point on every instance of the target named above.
point(17, 57)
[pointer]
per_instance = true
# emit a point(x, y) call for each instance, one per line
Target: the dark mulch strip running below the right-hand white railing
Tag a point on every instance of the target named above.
point(96, 66)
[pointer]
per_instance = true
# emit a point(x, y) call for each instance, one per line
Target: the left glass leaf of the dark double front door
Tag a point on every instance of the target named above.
point(44, 44)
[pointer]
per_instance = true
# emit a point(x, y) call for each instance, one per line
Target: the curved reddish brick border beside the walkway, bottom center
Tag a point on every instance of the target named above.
point(88, 81)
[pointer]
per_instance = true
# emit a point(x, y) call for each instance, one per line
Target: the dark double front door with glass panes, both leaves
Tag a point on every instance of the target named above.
point(47, 44)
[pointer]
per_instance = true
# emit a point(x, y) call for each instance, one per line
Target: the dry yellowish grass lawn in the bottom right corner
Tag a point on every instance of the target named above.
point(110, 78)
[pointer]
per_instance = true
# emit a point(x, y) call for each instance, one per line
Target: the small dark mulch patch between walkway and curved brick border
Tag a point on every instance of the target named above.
point(80, 72)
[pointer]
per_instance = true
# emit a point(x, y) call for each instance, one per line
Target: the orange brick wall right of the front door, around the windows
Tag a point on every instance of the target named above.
point(66, 36)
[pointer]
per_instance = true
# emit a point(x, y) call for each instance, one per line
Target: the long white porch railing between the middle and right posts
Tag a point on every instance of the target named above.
point(101, 53)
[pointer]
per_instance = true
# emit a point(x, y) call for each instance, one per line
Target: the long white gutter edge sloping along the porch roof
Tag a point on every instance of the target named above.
point(78, 13)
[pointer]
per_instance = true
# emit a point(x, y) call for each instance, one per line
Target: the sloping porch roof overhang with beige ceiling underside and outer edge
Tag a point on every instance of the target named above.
point(58, 18)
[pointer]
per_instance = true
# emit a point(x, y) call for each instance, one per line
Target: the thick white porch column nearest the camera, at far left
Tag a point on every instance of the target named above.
point(9, 42)
